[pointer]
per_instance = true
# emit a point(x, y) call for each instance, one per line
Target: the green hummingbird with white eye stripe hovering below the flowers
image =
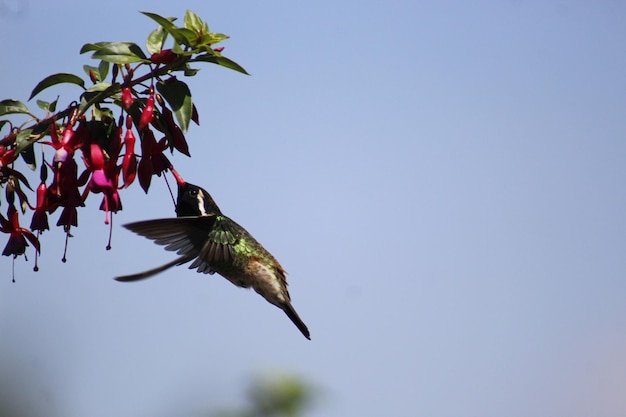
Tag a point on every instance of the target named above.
point(216, 244)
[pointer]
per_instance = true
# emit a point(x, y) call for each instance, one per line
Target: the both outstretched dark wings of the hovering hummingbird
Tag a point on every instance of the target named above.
point(185, 235)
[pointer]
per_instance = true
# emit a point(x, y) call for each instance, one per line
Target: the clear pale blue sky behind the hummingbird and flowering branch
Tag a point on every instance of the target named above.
point(443, 180)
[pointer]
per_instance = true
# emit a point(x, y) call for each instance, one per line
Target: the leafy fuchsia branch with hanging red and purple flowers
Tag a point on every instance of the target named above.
point(86, 148)
